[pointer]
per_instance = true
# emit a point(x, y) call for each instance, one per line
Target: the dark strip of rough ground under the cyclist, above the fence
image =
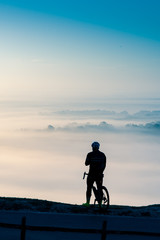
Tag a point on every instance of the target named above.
point(35, 205)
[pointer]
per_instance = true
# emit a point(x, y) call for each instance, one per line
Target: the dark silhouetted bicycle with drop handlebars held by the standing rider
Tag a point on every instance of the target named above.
point(105, 195)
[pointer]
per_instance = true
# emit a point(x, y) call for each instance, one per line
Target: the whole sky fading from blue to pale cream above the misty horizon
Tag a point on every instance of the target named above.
point(79, 49)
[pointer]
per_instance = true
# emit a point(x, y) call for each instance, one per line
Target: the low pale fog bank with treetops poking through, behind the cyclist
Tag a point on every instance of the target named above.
point(43, 153)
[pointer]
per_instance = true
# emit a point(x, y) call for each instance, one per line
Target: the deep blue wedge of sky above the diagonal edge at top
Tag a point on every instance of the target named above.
point(136, 17)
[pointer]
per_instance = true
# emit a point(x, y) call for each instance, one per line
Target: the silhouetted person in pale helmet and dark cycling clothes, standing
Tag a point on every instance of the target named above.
point(96, 161)
